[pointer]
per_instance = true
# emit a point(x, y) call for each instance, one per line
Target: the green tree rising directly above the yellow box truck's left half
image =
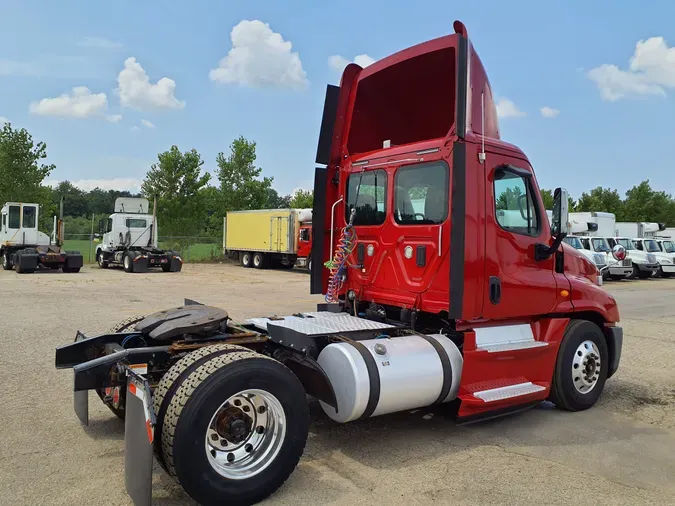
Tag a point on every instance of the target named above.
point(240, 185)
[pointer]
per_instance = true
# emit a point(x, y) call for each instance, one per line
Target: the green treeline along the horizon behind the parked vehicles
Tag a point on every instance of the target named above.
point(192, 203)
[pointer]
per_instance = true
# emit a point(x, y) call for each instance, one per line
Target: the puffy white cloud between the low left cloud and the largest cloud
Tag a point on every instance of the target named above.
point(136, 91)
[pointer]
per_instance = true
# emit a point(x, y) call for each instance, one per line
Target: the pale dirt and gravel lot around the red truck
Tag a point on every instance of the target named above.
point(620, 452)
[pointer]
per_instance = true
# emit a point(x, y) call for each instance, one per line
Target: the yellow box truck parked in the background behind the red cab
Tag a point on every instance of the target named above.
point(258, 238)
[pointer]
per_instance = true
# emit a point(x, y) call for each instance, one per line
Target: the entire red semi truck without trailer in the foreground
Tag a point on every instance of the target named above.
point(445, 284)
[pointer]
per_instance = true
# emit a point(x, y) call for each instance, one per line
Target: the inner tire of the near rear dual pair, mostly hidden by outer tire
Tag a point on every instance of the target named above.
point(174, 377)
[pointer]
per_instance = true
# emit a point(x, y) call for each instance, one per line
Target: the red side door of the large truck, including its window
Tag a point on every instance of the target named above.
point(517, 285)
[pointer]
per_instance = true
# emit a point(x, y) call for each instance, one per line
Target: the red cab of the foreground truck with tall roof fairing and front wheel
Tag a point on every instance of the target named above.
point(426, 217)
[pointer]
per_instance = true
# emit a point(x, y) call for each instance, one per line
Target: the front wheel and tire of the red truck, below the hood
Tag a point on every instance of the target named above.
point(581, 367)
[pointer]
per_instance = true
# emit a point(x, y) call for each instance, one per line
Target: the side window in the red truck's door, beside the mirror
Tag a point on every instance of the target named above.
point(516, 209)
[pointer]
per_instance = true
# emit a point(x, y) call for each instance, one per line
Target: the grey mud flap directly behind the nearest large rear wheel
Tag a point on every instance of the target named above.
point(138, 440)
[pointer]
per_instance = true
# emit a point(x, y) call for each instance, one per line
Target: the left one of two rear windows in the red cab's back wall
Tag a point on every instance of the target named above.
point(367, 193)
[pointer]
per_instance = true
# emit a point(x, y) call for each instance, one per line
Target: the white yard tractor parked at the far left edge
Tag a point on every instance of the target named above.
point(25, 249)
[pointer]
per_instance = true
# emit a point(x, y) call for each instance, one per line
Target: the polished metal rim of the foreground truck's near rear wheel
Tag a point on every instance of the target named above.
point(245, 434)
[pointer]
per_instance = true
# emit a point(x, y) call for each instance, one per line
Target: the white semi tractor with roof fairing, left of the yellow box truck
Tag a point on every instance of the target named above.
point(129, 239)
